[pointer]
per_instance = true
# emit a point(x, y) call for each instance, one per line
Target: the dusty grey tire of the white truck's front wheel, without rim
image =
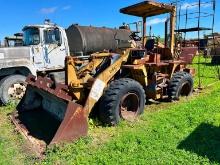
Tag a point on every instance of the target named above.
point(6, 83)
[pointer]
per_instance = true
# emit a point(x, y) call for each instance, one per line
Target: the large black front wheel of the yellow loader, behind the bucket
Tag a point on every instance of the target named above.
point(123, 99)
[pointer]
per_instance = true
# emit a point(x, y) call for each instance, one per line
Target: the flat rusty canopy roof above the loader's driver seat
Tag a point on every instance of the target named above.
point(147, 9)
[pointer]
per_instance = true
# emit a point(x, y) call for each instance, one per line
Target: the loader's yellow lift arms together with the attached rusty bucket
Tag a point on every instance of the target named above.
point(64, 102)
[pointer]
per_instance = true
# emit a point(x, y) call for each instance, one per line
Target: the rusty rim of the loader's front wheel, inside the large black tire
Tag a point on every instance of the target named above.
point(129, 106)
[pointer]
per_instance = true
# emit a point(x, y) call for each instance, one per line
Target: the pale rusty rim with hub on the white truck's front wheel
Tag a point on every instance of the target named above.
point(16, 91)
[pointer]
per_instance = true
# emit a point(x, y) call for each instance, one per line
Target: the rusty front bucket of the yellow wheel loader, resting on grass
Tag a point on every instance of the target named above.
point(47, 116)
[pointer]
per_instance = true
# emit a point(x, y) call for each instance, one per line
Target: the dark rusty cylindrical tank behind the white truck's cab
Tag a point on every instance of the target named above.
point(87, 39)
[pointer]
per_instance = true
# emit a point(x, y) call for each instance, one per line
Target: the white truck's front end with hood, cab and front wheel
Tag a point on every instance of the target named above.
point(44, 49)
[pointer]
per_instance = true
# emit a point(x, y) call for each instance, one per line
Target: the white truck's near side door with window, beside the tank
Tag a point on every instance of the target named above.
point(54, 49)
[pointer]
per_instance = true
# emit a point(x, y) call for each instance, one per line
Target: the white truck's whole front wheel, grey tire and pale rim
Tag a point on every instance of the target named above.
point(12, 88)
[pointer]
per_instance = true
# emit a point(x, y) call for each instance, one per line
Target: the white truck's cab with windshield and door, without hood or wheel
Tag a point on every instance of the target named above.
point(48, 46)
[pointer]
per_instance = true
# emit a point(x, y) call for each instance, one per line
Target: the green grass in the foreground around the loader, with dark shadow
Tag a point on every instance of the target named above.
point(185, 132)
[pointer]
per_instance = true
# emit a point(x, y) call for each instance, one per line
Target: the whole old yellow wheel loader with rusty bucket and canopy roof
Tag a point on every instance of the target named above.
point(117, 82)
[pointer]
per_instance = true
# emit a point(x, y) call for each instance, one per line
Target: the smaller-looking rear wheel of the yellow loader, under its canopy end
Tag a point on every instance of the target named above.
point(181, 84)
